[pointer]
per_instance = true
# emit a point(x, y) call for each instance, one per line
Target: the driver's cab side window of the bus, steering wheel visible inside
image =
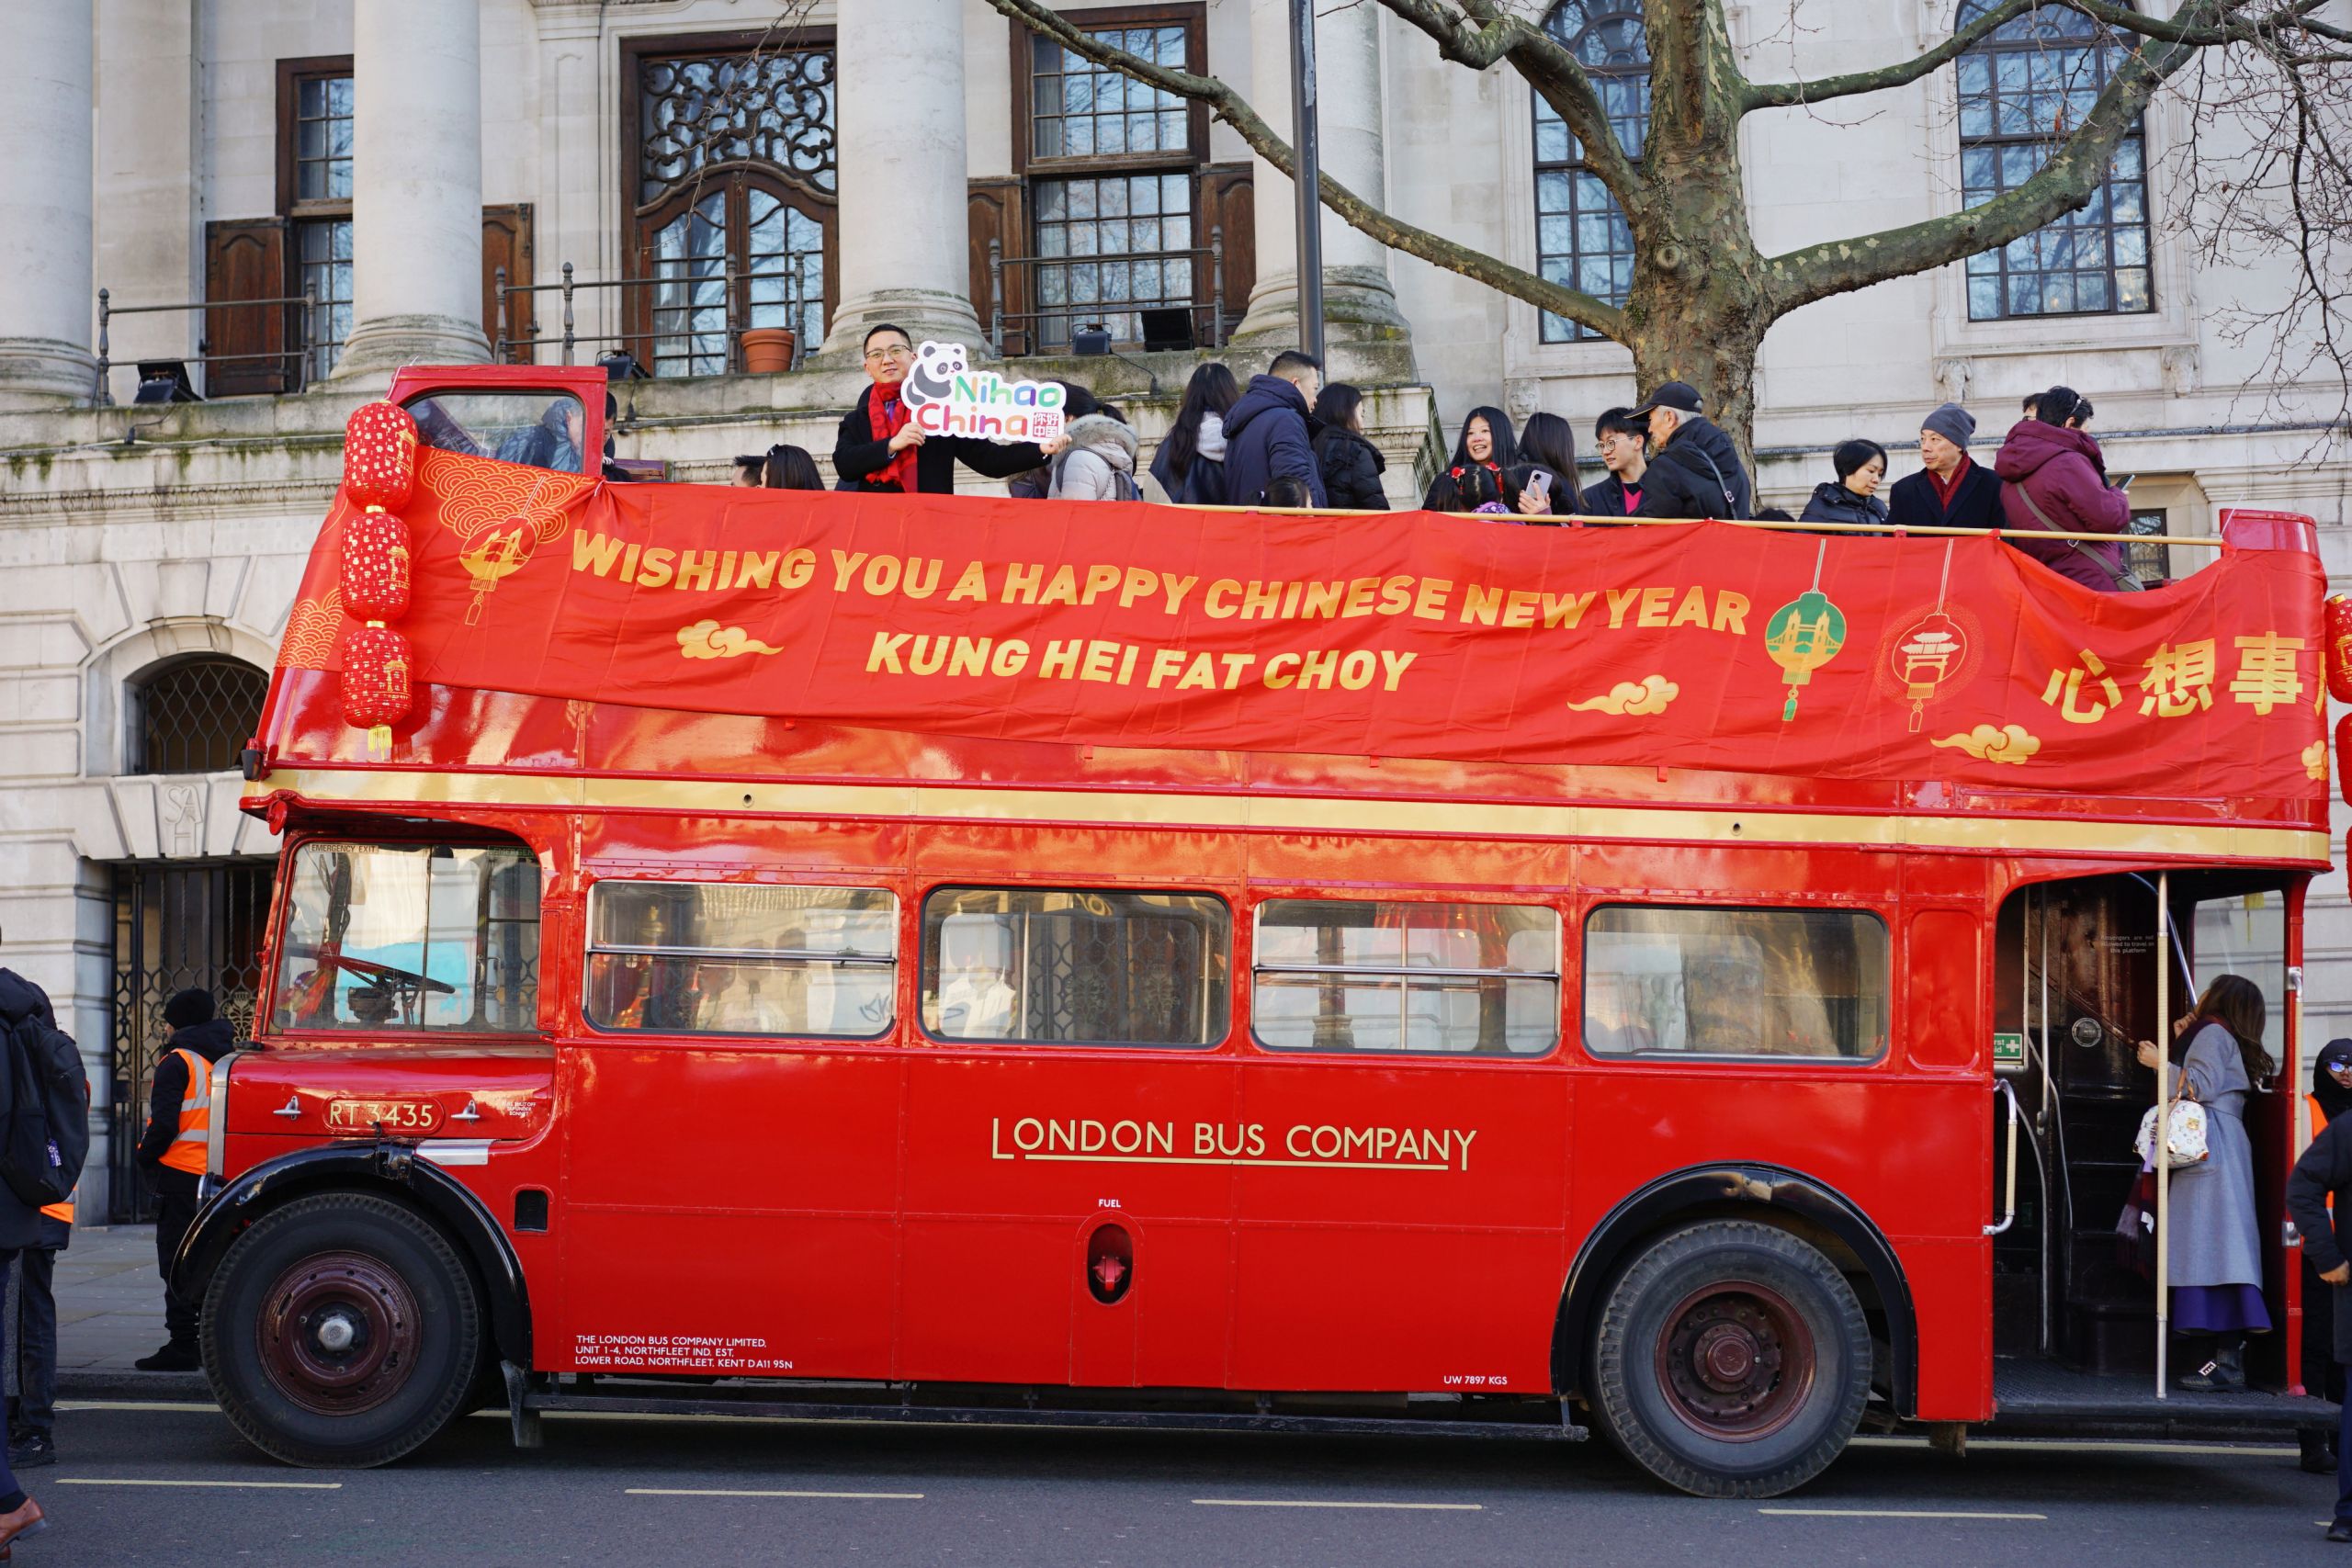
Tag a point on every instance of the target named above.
point(410, 937)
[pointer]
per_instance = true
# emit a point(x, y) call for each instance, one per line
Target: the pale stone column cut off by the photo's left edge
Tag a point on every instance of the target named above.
point(48, 300)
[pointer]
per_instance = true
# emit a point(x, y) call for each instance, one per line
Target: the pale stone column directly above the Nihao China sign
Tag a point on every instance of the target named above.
point(900, 135)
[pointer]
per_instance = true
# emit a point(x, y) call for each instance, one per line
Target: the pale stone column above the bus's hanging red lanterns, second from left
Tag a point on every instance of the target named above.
point(415, 185)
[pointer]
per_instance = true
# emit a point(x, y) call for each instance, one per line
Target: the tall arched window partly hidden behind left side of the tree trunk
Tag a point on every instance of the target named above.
point(1582, 236)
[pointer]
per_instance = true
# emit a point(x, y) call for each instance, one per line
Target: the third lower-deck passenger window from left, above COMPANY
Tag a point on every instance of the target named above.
point(1408, 977)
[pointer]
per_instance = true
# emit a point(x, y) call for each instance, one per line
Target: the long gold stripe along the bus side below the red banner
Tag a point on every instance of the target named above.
point(1302, 815)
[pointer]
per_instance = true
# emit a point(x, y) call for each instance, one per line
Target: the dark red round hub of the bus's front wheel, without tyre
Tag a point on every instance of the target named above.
point(340, 1334)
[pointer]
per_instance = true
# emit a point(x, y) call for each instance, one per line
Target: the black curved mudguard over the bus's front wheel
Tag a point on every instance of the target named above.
point(368, 1167)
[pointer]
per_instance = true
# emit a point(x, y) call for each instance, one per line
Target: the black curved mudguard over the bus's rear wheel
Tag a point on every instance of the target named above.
point(1732, 1191)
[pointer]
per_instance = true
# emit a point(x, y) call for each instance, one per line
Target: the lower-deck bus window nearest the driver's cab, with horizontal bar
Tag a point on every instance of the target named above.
point(737, 958)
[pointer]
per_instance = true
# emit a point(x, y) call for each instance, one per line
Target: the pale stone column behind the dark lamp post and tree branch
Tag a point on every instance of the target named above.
point(1361, 304)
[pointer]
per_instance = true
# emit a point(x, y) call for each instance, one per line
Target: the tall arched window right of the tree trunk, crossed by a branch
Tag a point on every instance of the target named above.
point(2022, 93)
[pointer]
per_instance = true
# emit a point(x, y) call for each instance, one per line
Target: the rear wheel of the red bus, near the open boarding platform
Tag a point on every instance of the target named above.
point(1732, 1360)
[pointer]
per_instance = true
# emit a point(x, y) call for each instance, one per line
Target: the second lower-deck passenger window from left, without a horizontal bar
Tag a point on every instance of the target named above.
point(1076, 967)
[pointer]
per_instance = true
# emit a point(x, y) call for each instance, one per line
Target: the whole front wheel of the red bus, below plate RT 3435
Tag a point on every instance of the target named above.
point(342, 1329)
